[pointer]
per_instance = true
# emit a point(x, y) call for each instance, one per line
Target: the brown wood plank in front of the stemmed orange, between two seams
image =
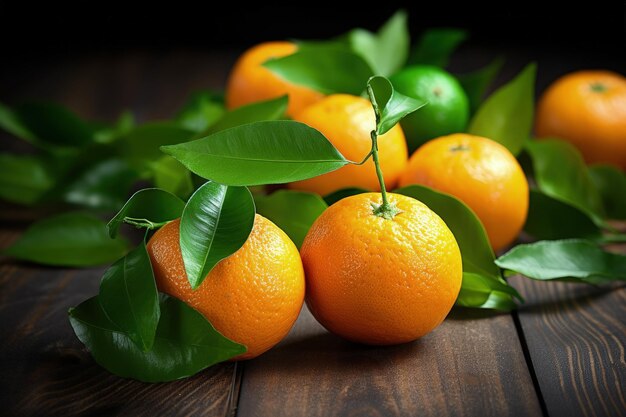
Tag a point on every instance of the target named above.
point(472, 365)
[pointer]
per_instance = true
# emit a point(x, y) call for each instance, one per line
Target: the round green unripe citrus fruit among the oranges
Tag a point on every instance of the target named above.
point(447, 110)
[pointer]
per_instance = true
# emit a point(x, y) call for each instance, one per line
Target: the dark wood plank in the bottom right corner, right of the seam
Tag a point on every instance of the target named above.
point(576, 337)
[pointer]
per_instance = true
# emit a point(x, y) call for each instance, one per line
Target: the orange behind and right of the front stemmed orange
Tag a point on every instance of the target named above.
point(480, 172)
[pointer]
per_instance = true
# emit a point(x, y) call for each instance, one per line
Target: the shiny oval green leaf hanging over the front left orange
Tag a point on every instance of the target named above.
point(215, 223)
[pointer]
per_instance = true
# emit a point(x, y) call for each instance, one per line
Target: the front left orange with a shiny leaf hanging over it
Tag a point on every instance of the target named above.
point(252, 297)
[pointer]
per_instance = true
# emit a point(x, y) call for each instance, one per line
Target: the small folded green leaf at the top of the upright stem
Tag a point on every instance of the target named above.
point(389, 105)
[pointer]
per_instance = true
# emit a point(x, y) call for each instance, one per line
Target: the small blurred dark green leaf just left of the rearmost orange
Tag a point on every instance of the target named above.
point(201, 111)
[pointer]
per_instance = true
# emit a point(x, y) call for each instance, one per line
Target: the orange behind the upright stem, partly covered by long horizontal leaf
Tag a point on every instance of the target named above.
point(347, 122)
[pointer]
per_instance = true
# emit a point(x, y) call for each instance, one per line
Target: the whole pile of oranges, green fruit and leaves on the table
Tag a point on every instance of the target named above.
point(393, 184)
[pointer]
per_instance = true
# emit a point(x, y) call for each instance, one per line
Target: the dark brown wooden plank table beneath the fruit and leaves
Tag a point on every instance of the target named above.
point(561, 354)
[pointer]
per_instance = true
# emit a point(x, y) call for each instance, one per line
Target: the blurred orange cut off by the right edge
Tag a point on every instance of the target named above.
point(595, 122)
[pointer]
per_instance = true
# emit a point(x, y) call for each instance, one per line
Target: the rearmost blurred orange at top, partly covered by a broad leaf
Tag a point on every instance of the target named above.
point(250, 81)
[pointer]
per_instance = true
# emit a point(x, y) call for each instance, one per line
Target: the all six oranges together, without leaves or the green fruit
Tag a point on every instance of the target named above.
point(371, 279)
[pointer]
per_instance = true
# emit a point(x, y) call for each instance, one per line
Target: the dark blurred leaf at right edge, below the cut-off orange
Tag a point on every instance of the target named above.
point(611, 184)
